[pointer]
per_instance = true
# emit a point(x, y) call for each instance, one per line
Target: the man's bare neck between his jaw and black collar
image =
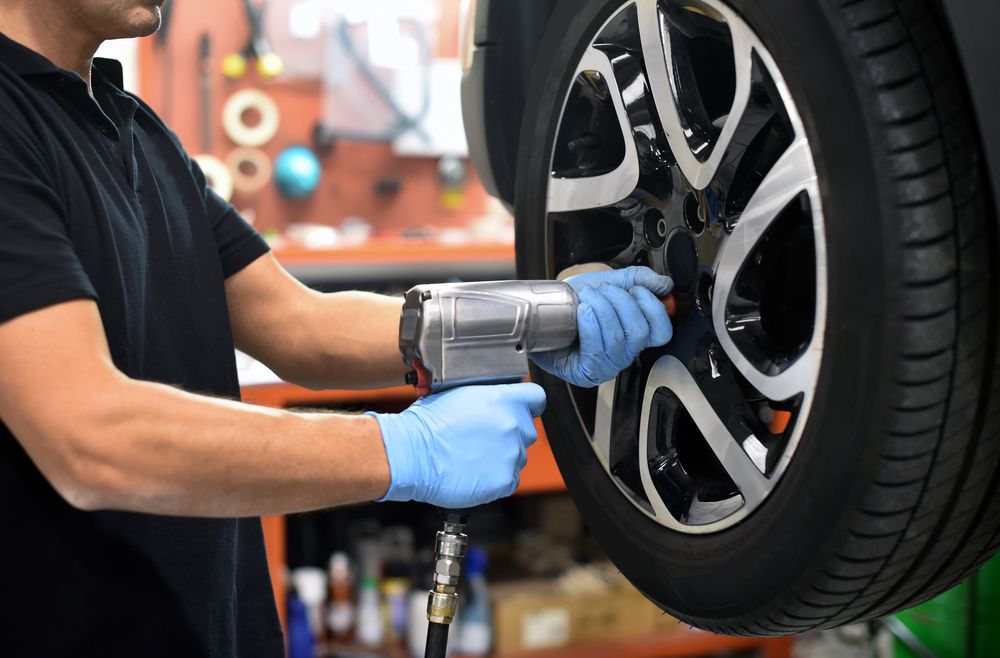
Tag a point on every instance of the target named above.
point(46, 28)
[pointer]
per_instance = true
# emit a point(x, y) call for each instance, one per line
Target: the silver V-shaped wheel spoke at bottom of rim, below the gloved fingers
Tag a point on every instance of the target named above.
point(671, 373)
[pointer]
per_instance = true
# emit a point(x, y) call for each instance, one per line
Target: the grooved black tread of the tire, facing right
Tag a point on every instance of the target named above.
point(931, 513)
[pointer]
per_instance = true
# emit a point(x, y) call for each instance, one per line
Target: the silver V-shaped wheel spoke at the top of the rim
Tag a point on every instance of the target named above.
point(662, 69)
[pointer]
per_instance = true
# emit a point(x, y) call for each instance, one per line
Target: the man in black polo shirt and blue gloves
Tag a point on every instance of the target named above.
point(130, 479)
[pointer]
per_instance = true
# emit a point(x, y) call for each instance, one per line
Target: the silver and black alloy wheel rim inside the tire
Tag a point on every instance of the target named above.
point(679, 147)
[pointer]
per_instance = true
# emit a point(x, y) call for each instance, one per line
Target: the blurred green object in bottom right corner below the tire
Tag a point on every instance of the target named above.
point(942, 624)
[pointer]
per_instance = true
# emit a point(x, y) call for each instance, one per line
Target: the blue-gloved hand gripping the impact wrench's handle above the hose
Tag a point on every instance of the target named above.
point(463, 447)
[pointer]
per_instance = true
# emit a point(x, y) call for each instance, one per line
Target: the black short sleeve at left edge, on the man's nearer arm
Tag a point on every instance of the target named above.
point(39, 266)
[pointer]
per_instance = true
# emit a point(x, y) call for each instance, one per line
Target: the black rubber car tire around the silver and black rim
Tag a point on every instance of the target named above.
point(892, 494)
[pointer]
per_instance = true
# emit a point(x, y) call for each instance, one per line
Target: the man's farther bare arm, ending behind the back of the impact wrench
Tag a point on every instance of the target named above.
point(336, 340)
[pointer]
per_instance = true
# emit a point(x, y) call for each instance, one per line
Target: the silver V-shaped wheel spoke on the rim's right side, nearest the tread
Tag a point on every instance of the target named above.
point(792, 174)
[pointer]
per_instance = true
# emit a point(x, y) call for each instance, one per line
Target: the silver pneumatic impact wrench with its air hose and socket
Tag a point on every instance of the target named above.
point(458, 334)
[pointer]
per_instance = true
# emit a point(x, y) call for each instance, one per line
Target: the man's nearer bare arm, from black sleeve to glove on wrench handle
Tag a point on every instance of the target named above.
point(105, 441)
